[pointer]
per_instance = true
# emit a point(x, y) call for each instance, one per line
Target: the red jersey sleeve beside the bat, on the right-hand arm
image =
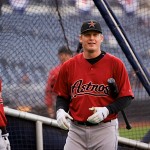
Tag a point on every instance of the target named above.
point(122, 79)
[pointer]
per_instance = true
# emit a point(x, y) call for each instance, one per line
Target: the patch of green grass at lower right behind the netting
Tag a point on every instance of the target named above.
point(136, 133)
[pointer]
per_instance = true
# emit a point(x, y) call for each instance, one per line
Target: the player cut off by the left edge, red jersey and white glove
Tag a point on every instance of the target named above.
point(4, 141)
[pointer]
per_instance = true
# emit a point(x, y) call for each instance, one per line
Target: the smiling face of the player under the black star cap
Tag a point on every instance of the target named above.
point(91, 41)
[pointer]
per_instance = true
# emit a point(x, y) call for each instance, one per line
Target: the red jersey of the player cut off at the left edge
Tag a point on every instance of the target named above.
point(3, 120)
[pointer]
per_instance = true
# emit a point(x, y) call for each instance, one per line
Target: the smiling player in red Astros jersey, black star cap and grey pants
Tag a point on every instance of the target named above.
point(84, 104)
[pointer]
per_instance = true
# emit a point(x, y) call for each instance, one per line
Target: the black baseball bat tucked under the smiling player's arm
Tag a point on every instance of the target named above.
point(114, 93)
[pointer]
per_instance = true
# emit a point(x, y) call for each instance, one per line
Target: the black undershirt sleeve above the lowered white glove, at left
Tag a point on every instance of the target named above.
point(62, 103)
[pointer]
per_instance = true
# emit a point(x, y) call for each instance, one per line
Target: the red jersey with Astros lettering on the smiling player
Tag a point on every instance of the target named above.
point(87, 85)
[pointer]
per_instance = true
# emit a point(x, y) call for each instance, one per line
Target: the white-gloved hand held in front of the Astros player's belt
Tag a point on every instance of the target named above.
point(100, 113)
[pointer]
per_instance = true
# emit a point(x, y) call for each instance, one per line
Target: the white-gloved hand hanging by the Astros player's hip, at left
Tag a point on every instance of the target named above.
point(62, 119)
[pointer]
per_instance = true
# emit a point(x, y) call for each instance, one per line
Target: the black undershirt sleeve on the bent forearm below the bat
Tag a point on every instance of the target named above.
point(119, 104)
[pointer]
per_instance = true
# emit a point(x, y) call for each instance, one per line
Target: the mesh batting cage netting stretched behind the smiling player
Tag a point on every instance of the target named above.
point(31, 32)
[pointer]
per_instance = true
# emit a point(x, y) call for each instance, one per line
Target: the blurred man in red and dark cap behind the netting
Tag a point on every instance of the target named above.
point(50, 97)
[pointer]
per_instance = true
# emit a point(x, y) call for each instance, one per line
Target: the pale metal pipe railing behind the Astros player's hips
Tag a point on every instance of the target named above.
point(40, 120)
